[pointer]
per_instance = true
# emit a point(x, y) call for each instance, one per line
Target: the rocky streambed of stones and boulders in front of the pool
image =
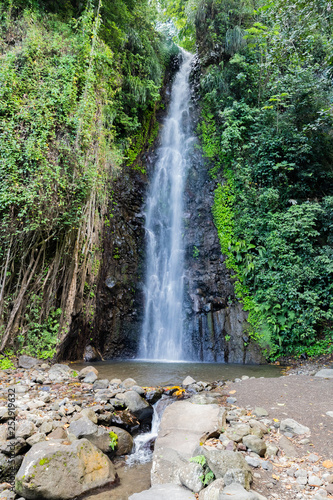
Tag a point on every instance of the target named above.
point(72, 430)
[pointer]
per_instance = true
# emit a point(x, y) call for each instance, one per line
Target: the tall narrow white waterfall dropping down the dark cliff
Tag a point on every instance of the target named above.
point(162, 332)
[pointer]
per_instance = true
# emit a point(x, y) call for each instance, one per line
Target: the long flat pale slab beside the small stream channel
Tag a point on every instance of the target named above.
point(182, 426)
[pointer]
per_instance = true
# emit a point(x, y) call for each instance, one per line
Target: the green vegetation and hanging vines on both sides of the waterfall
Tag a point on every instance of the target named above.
point(80, 84)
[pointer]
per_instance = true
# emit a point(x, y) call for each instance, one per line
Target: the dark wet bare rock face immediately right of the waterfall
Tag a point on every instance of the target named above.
point(215, 321)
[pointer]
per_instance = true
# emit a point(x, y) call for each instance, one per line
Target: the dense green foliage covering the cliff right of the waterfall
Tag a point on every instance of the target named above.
point(266, 130)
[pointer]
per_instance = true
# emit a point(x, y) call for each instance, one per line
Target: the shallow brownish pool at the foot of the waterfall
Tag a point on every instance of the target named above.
point(157, 373)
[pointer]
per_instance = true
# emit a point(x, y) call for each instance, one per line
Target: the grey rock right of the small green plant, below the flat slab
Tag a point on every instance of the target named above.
point(221, 461)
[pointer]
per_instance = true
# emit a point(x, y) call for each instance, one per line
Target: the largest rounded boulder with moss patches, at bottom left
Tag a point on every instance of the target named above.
point(56, 471)
